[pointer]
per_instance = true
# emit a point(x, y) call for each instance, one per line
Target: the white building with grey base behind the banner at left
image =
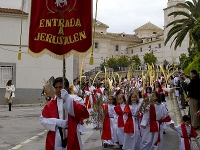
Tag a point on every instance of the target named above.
point(29, 73)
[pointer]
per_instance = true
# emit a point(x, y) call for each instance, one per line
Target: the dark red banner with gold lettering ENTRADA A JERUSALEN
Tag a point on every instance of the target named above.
point(60, 27)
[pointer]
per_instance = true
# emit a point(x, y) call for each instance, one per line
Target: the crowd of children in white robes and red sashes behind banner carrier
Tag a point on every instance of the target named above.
point(136, 117)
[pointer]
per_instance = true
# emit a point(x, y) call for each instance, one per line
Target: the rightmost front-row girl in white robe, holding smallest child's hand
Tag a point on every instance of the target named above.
point(152, 124)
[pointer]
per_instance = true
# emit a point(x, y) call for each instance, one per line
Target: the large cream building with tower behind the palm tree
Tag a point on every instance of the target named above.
point(147, 38)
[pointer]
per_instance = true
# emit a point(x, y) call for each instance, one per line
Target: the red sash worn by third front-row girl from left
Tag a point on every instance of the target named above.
point(128, 127)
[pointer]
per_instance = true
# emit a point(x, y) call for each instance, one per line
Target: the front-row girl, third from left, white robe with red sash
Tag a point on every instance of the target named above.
point(132, 137)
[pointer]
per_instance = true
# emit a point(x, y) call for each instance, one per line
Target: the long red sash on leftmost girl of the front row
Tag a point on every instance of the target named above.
point(106, 131)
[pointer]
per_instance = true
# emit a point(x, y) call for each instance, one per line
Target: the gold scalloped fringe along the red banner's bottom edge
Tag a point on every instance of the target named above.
point(60, 57)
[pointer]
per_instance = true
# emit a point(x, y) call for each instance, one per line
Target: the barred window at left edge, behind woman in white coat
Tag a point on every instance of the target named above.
point(6, 73)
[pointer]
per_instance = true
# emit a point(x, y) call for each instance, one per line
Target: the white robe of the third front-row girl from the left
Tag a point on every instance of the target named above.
point(132, 141)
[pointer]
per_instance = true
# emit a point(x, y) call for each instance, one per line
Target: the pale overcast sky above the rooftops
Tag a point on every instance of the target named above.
point(120, 15)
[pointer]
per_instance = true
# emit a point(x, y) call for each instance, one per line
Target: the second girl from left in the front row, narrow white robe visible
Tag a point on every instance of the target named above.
point(119, 112)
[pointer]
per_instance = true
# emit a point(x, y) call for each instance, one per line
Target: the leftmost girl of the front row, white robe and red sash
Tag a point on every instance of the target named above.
point(108, 129)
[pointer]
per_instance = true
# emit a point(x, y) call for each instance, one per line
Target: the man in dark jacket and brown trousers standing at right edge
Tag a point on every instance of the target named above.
point(193, 89)
